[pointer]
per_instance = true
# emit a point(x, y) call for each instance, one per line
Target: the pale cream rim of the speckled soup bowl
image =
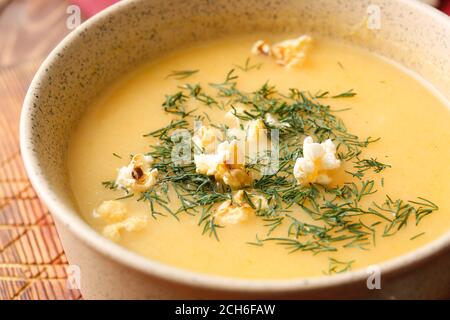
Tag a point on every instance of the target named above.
point(71, 219)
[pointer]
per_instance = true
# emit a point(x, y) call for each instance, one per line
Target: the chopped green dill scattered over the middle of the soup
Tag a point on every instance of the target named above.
point(339, 217)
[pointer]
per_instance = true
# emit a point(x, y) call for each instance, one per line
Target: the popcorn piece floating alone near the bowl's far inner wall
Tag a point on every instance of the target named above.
point(287, 53)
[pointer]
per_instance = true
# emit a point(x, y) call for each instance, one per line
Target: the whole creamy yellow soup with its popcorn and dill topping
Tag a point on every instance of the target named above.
point(304, 219)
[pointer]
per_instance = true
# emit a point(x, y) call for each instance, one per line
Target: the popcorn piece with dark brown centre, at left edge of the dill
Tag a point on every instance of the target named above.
point(138, 175)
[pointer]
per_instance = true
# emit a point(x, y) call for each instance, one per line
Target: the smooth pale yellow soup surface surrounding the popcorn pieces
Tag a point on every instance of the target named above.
point(408, 162)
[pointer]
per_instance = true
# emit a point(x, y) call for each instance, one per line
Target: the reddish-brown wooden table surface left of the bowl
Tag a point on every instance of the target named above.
point(32, 261)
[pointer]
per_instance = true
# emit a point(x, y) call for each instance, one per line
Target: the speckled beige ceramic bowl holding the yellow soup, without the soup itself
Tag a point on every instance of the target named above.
point(125, 35)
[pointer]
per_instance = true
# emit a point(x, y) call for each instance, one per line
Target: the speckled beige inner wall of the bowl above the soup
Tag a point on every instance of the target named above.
point(131, 32)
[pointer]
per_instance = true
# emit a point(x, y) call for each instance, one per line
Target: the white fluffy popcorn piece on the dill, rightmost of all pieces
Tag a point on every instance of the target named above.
point(317, 161)
